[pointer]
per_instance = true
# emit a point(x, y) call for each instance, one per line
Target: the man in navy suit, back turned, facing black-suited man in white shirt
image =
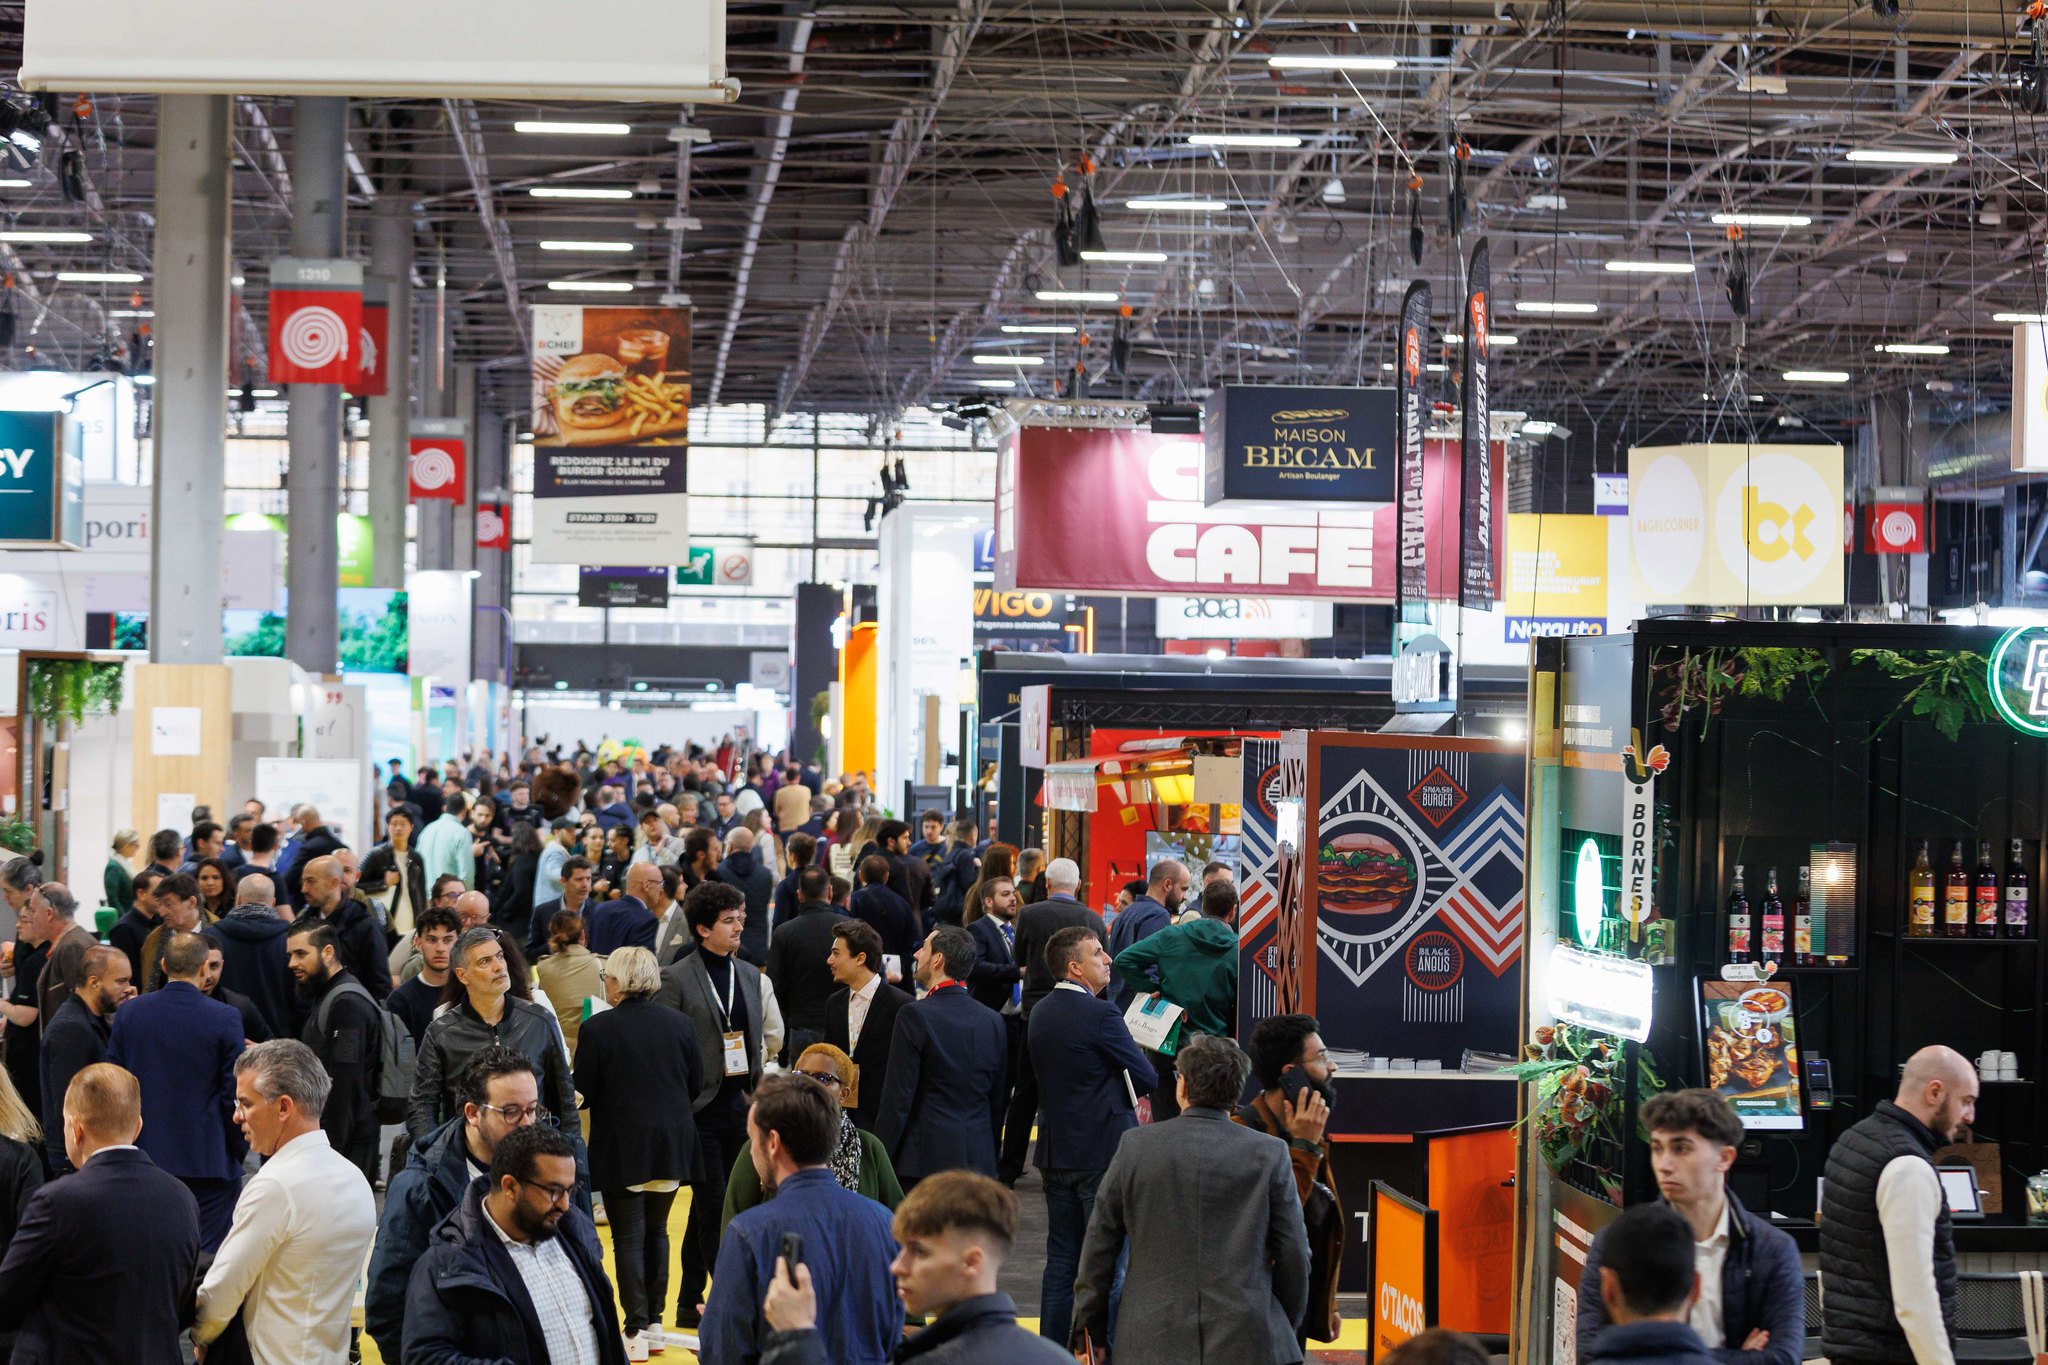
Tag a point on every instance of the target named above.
point(945, 1098)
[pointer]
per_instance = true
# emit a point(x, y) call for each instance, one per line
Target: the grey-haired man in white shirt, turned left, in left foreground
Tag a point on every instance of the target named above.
point(302, 1227)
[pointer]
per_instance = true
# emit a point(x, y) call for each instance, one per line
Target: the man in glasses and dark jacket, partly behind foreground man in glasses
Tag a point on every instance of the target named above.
point(501, 1096)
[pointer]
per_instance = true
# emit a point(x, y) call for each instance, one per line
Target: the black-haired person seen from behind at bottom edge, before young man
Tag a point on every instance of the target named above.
point(1648, 1288)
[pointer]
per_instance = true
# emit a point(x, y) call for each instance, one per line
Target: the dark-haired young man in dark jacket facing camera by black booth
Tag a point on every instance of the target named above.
point(1752, 1307)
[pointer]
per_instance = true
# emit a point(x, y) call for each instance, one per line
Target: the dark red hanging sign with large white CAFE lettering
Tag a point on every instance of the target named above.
point(1121, 513)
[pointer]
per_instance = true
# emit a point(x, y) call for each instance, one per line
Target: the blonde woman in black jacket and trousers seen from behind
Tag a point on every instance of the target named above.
point(640, 1071)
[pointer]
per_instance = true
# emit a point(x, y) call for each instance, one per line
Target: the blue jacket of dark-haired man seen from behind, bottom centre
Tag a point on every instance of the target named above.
point(847, 1245)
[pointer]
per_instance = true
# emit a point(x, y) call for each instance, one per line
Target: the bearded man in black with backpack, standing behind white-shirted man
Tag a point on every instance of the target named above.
point(345, 1034)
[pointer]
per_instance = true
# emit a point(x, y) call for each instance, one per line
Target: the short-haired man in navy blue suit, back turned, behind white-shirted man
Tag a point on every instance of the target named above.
point(183, 1049)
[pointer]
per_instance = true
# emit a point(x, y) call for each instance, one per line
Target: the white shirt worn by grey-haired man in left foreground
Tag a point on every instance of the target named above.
point(294, 1256)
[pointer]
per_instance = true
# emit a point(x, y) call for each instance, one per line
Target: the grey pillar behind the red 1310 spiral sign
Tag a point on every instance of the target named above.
point(314, 425)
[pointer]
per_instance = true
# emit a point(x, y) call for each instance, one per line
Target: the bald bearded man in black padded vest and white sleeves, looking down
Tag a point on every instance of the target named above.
point(1887, 1243)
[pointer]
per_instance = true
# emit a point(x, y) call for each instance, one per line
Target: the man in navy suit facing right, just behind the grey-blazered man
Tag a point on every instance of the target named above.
point(1089, 1073)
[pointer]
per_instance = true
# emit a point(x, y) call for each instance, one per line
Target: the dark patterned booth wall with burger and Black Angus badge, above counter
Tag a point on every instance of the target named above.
point(1414, 918)
